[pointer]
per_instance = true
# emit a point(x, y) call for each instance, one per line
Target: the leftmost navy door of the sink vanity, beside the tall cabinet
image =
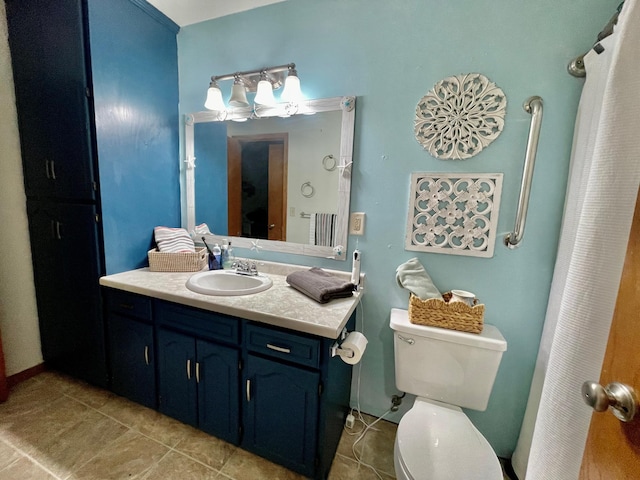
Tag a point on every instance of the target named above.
point(131, 356)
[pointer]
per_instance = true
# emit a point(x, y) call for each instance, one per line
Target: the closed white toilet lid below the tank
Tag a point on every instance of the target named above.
point(436, 441)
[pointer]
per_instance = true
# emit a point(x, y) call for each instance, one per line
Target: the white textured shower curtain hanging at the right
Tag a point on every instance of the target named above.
point(601, 195)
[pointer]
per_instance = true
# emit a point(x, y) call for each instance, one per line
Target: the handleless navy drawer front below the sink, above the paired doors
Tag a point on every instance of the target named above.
point(204, 324)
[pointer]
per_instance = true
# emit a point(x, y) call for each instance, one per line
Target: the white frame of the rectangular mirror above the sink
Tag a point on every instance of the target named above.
point(339, 252)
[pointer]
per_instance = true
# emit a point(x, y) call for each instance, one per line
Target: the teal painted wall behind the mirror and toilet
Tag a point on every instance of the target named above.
point(389, 54)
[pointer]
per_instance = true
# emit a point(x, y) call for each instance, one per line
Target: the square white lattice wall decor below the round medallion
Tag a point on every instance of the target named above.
point(454, 213)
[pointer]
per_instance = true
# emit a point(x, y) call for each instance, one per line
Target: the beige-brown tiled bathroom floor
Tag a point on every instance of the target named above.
point(57, 428)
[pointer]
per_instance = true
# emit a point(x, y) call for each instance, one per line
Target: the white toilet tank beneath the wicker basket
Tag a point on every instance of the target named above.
point(453, 367)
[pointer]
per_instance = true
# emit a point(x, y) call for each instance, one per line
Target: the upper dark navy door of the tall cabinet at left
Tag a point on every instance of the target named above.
point(49, 63)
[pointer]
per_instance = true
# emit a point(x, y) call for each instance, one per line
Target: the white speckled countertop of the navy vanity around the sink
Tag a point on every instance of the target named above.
point(280, 305)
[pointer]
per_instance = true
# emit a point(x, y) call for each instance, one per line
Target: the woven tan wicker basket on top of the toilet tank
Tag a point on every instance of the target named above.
point(437, 312)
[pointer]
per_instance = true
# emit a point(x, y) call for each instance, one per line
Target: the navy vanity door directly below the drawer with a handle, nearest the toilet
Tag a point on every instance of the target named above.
point(281, 414)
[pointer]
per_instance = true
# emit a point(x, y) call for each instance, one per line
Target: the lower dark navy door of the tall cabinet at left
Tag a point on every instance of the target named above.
point(64, 245)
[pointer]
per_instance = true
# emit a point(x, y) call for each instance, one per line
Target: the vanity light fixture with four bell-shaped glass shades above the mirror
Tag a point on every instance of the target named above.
point(263, 82)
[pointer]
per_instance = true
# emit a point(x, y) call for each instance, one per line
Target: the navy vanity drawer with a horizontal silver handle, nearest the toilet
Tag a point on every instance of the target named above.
point(291, 347)
